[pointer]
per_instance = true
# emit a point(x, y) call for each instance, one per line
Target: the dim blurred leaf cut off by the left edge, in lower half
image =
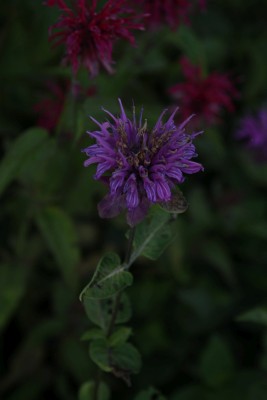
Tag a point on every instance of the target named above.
point(12, 287)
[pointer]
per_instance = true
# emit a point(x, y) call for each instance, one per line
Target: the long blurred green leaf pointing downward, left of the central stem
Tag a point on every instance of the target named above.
point(60, 236)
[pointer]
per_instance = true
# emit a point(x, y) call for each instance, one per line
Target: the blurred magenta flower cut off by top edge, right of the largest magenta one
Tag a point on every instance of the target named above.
point(171, 12)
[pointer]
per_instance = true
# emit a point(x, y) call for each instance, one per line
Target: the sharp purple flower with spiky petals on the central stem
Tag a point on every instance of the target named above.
point(142, 165)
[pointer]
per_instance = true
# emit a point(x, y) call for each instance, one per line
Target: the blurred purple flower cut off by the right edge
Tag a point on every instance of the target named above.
point(253, 129)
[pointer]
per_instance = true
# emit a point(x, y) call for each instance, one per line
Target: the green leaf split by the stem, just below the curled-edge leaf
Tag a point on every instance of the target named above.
point(100, 311)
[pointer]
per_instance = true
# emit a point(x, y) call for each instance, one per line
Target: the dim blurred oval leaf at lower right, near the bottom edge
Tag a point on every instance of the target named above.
point(216, 363)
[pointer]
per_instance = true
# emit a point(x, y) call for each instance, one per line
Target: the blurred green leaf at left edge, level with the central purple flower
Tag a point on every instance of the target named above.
point(19, 153)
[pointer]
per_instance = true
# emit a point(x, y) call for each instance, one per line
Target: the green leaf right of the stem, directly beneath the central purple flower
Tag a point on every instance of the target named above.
point(152, 236)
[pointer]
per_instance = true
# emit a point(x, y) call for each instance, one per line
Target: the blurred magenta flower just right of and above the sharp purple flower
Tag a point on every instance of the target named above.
point(204, 96)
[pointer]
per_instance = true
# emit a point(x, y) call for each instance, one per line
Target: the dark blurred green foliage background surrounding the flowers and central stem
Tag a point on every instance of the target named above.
point(187, 305)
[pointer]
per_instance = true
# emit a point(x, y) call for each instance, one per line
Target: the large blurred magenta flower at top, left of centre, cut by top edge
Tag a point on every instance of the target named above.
point(89, 35)
